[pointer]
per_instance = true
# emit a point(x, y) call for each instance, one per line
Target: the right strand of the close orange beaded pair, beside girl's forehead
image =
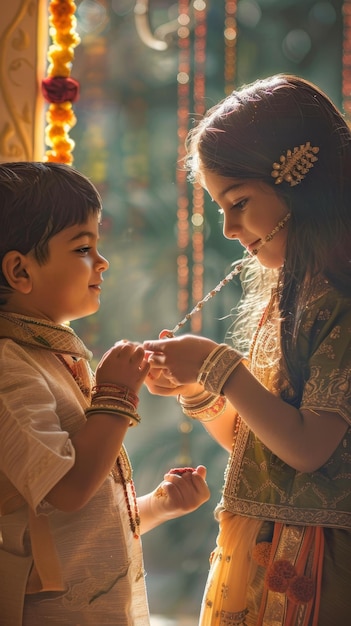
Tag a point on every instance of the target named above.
point(197, 219)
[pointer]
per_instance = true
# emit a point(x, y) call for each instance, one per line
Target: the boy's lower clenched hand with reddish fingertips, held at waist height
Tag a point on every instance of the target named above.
point(180, 493)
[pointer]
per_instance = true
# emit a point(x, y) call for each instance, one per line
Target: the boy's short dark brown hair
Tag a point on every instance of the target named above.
point(37, 201)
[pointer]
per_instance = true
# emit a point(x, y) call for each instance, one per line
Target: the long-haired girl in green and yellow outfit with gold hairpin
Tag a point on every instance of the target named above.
point(275, 156)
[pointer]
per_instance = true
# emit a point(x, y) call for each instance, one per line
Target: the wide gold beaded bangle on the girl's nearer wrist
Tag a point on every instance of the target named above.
point(217, 368)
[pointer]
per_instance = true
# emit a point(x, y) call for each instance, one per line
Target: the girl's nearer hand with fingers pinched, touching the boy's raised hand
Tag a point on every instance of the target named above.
point(179, 358)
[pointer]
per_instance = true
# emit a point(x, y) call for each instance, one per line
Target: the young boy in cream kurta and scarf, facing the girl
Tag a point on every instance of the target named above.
point(70, 523)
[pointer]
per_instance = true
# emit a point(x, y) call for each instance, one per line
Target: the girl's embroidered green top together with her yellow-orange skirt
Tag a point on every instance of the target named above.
point(283, 555)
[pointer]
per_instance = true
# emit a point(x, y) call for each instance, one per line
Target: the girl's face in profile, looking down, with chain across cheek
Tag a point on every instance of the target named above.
point(251, 210)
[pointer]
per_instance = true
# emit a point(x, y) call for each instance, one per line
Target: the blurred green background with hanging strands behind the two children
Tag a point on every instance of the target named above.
point(147, 71)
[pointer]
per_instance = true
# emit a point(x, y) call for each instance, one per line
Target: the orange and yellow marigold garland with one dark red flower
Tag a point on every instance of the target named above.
point(59, 89)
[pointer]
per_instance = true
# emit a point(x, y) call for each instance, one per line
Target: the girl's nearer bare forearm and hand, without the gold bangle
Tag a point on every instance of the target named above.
point(303, 439)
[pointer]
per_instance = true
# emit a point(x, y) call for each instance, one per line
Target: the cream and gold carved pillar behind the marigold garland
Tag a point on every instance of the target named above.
point(23, 49)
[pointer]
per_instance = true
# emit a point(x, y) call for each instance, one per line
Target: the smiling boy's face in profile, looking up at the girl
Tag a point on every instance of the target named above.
point(68, 285)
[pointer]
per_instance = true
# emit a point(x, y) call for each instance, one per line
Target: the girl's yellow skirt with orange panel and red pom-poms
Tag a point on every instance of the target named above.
point(265, 574)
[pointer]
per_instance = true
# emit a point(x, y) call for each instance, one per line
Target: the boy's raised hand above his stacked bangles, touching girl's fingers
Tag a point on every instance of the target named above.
point(124, 364)
